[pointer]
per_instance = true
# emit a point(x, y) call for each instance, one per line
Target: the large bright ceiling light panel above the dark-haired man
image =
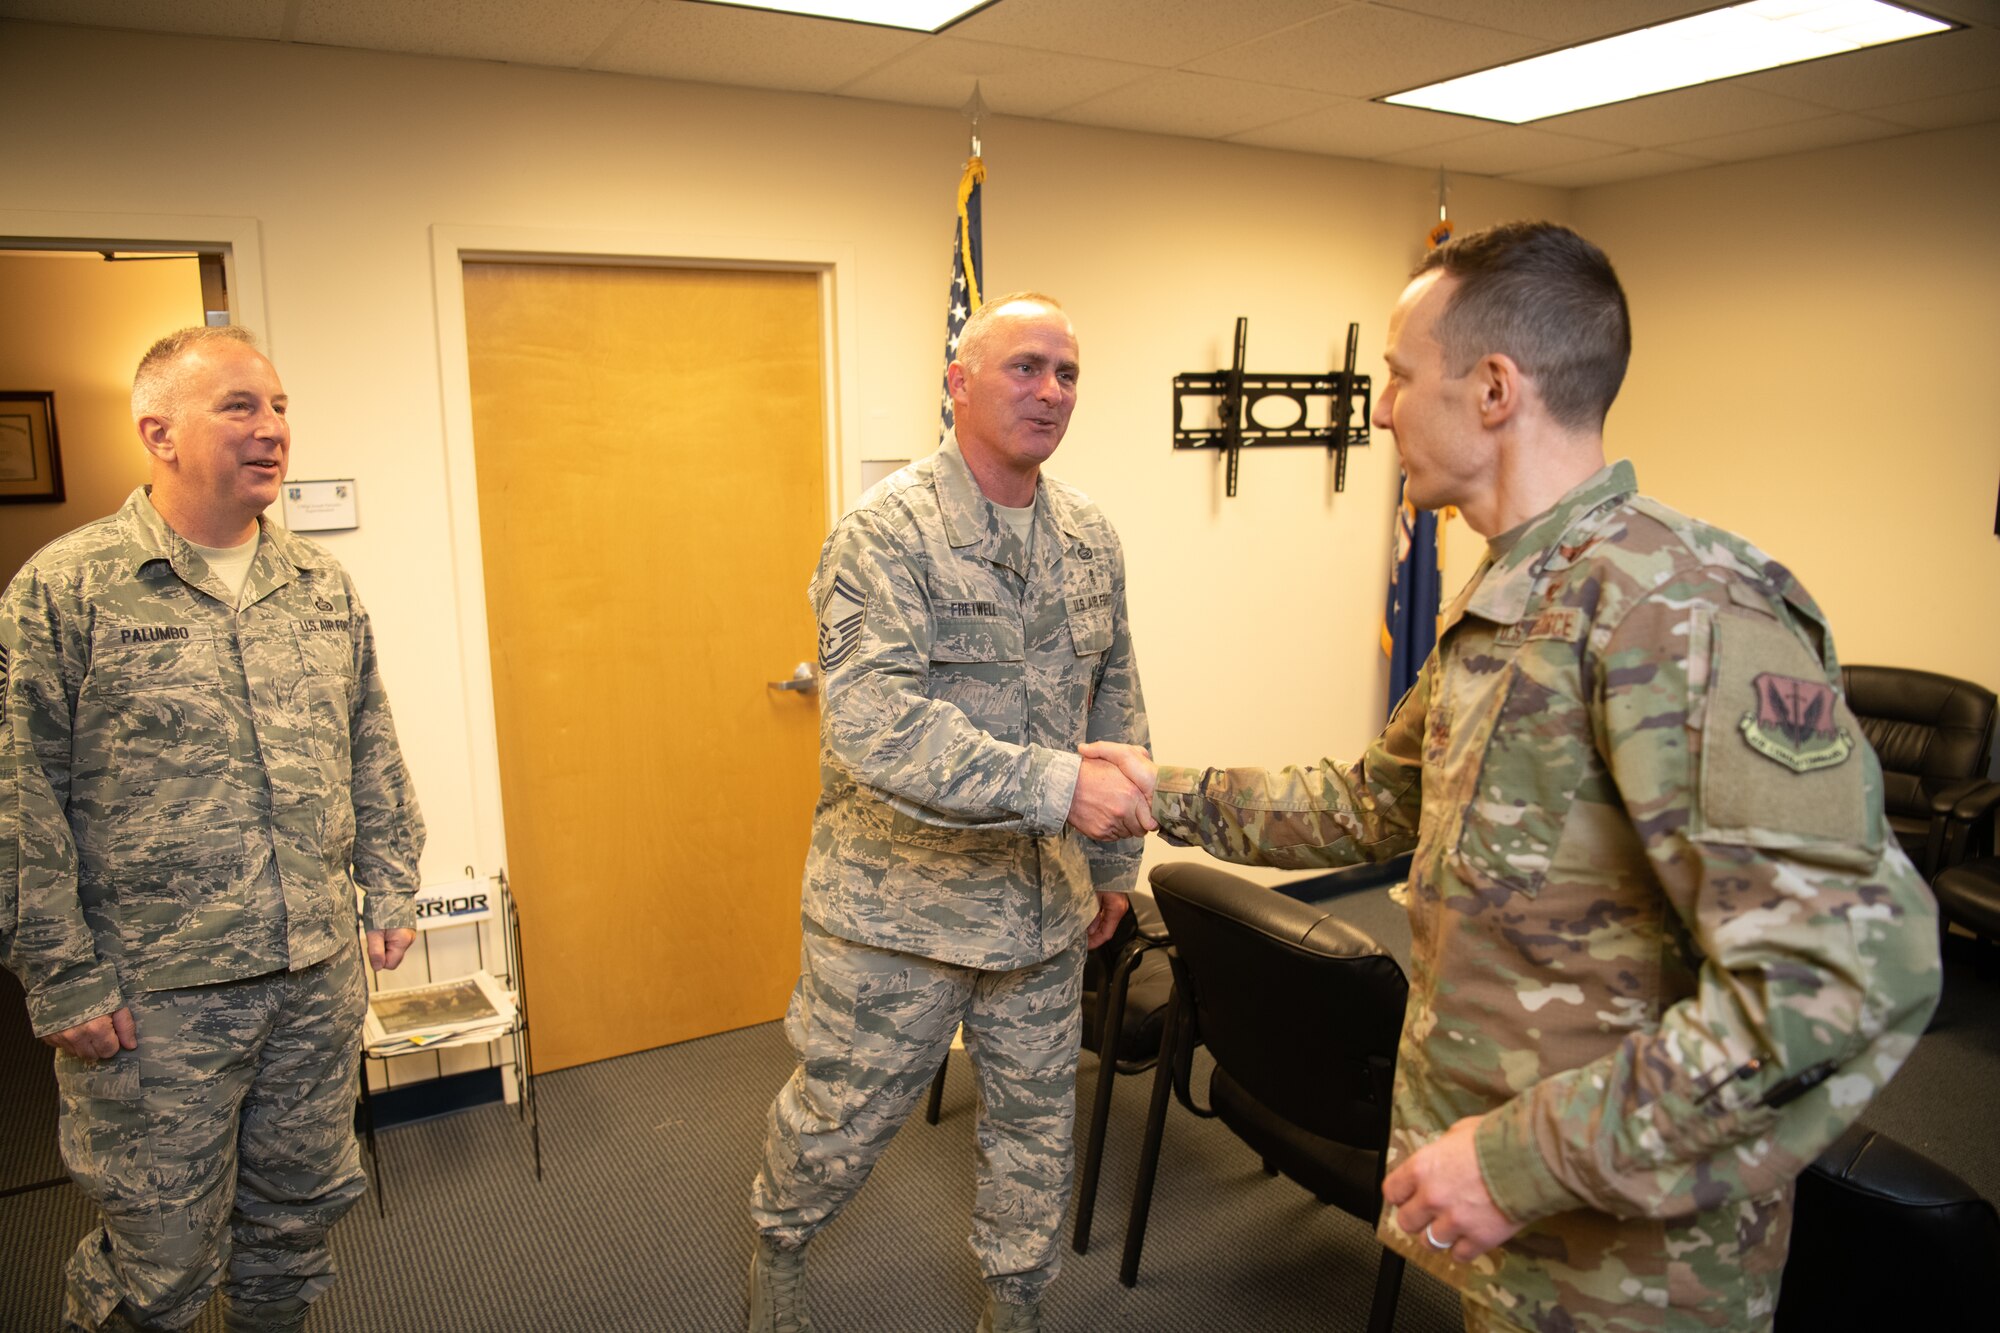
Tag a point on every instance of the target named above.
point(1689, 51)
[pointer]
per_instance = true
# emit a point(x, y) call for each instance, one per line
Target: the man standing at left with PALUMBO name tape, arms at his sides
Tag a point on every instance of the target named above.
point(197, 768)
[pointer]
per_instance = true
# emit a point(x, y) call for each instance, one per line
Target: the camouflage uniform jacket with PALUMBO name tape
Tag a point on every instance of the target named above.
point(189, 792)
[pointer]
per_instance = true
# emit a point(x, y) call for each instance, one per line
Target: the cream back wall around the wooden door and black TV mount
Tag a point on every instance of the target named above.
point(1257, 617)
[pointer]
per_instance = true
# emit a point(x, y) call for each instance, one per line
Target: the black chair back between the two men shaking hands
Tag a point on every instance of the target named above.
point(1299, 1010)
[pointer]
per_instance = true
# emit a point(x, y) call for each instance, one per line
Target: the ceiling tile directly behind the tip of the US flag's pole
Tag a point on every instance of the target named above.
point(1013, 79)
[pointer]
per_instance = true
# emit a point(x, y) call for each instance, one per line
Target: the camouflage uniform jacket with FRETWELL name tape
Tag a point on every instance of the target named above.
point(959, 674)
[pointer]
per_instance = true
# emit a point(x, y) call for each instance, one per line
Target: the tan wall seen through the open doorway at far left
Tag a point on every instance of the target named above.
point(77, 325)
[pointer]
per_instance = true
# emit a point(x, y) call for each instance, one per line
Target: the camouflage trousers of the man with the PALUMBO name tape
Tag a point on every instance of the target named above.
point(223, 1148)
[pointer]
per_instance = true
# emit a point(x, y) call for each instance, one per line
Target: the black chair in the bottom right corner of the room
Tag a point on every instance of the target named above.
point(1883, 1238)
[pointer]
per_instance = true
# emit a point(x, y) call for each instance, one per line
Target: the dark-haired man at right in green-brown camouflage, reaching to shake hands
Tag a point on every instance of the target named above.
point(1665, 948)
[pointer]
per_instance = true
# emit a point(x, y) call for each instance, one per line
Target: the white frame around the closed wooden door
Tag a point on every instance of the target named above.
point(451, 249)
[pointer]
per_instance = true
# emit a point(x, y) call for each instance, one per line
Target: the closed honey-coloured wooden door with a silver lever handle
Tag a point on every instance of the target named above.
point(651, 471)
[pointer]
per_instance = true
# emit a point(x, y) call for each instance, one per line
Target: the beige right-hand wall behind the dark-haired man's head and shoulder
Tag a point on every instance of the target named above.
point(1815, 337)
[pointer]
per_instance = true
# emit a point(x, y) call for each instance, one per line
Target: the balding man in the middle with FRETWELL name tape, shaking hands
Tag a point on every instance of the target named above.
point(973, 633)
